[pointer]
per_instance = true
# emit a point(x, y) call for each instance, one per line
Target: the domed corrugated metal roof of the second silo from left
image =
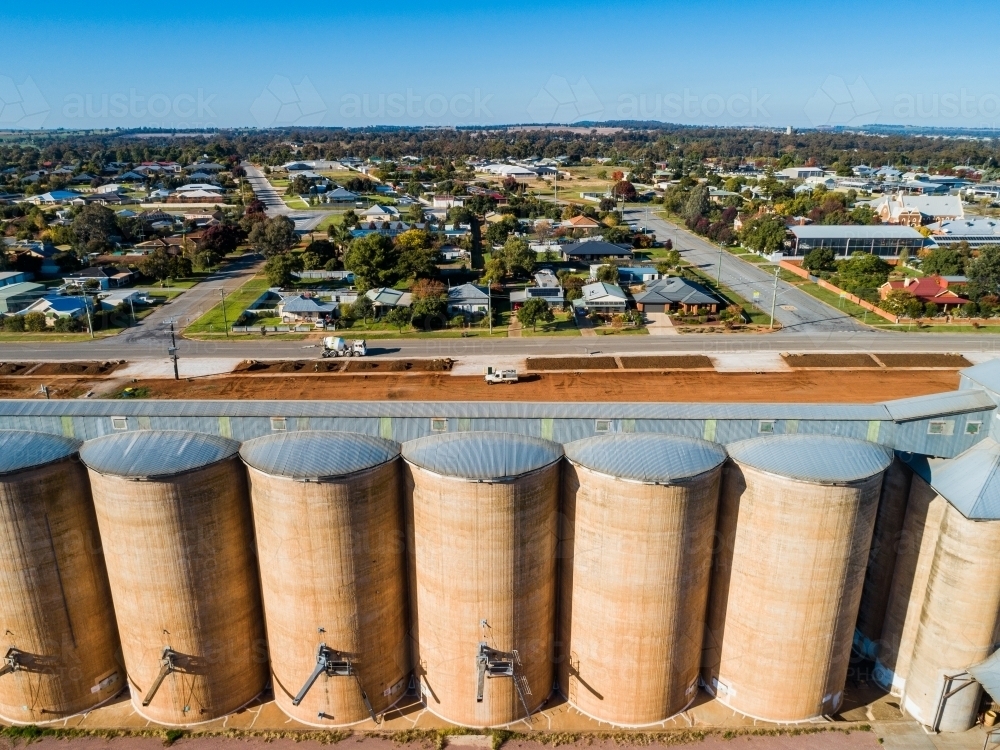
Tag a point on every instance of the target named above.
point(148, 454)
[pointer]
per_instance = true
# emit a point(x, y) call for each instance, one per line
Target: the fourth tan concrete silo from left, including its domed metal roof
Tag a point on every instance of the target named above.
point(482, 533)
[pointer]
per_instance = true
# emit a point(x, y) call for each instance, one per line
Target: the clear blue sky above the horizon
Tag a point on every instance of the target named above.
point(250, 63)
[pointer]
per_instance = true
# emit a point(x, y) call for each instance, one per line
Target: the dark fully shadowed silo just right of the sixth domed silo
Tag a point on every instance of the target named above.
point(882, 558)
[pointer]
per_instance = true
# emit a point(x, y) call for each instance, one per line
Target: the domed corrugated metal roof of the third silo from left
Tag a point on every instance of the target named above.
point(316, 454)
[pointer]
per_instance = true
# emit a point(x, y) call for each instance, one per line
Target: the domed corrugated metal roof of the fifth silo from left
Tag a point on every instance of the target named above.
point(646, 457)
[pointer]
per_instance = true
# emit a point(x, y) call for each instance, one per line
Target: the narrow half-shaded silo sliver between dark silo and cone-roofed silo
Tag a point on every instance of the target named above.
point(917, 543)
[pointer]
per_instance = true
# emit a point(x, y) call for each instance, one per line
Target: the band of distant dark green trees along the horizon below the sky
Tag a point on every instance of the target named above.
point(674, 144)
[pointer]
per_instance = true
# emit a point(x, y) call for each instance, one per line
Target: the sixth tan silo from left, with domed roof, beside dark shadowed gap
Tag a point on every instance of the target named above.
point(795, 526)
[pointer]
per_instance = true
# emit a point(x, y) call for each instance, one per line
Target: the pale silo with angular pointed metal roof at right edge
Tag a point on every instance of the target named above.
point(959, 622)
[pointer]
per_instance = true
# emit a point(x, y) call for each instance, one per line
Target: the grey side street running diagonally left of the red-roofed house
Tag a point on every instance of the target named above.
point(795, 310)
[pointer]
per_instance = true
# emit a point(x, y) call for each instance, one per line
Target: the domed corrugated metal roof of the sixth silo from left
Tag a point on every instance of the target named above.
point(821, 459)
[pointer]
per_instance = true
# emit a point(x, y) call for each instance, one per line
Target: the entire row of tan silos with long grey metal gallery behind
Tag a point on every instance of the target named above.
point(484, 555)
